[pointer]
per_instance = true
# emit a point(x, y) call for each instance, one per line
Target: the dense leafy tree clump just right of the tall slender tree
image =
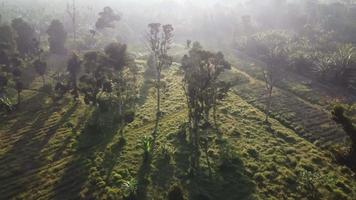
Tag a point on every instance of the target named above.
point(202, 89)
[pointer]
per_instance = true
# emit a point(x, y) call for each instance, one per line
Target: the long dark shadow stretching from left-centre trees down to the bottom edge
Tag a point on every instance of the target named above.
point(93, 139)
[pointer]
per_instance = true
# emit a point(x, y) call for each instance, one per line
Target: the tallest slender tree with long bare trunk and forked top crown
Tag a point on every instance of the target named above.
point(159, 39)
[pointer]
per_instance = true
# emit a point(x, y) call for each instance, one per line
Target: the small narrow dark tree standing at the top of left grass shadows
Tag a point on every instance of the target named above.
point(73, 68)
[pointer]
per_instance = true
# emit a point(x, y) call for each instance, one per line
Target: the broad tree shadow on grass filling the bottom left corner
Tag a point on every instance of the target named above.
point(24, 158)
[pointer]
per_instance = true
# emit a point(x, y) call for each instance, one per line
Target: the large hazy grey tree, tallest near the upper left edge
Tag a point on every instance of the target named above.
point(25, 37)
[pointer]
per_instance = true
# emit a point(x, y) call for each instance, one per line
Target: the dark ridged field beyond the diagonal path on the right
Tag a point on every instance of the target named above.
point(309, 119)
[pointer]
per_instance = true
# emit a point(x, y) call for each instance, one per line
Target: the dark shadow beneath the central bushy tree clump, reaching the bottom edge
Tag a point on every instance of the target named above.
point(229, 180)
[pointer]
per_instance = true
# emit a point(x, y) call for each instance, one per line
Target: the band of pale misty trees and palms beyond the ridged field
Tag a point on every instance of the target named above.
point(322, 60)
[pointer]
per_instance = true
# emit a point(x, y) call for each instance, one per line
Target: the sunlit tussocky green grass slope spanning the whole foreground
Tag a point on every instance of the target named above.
point(45, 153)
